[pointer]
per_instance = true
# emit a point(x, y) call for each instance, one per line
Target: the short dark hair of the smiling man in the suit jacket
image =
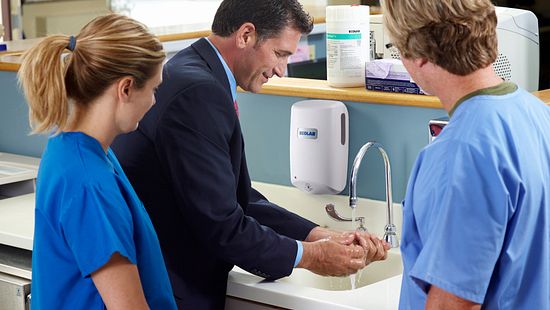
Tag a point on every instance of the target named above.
point(269, 17)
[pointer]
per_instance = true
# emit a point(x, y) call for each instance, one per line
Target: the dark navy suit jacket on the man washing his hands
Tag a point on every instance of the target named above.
point(187, 163)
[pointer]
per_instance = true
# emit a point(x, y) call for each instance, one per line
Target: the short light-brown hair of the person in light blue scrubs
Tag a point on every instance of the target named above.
point(457, 35)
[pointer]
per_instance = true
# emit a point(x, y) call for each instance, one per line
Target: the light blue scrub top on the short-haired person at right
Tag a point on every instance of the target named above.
point(476, 219)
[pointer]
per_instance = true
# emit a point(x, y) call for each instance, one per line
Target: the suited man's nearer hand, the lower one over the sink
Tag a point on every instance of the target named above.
point(329, 258)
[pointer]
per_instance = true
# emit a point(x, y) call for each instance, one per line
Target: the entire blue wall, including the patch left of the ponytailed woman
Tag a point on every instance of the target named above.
point(266, 121)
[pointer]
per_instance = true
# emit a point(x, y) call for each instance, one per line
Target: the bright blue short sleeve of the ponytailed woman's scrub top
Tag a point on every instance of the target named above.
point(96, 224)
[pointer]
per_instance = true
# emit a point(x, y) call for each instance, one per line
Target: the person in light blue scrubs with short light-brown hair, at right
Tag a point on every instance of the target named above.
point(476, 224)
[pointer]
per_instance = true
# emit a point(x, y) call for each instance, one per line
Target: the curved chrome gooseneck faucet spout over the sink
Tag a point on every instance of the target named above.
point(390, 235)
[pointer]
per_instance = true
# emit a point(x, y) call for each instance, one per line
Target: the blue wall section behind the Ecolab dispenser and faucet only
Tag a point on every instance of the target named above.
point(403, 131)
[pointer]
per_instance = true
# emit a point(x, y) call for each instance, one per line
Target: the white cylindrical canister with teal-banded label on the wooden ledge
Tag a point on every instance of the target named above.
point(348, 44)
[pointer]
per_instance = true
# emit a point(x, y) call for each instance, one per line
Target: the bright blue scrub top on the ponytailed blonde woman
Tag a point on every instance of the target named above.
point(86, 210)
